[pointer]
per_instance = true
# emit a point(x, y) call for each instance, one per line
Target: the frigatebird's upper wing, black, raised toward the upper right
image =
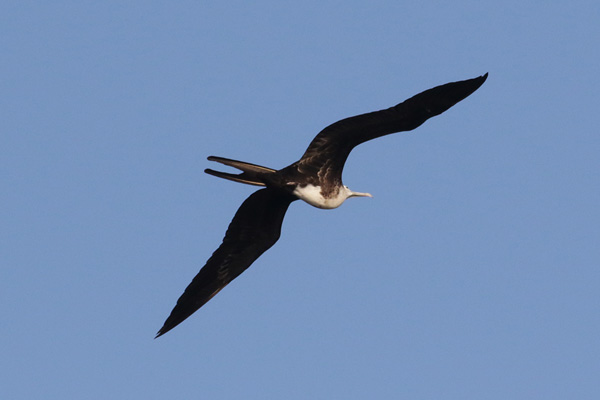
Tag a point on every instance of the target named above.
point(330, 148)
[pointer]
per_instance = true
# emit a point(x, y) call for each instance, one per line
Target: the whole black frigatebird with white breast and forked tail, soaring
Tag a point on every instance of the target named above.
point(316, 178)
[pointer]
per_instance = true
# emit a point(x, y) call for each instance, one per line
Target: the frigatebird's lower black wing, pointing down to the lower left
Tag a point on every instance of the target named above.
point(255, 227)
